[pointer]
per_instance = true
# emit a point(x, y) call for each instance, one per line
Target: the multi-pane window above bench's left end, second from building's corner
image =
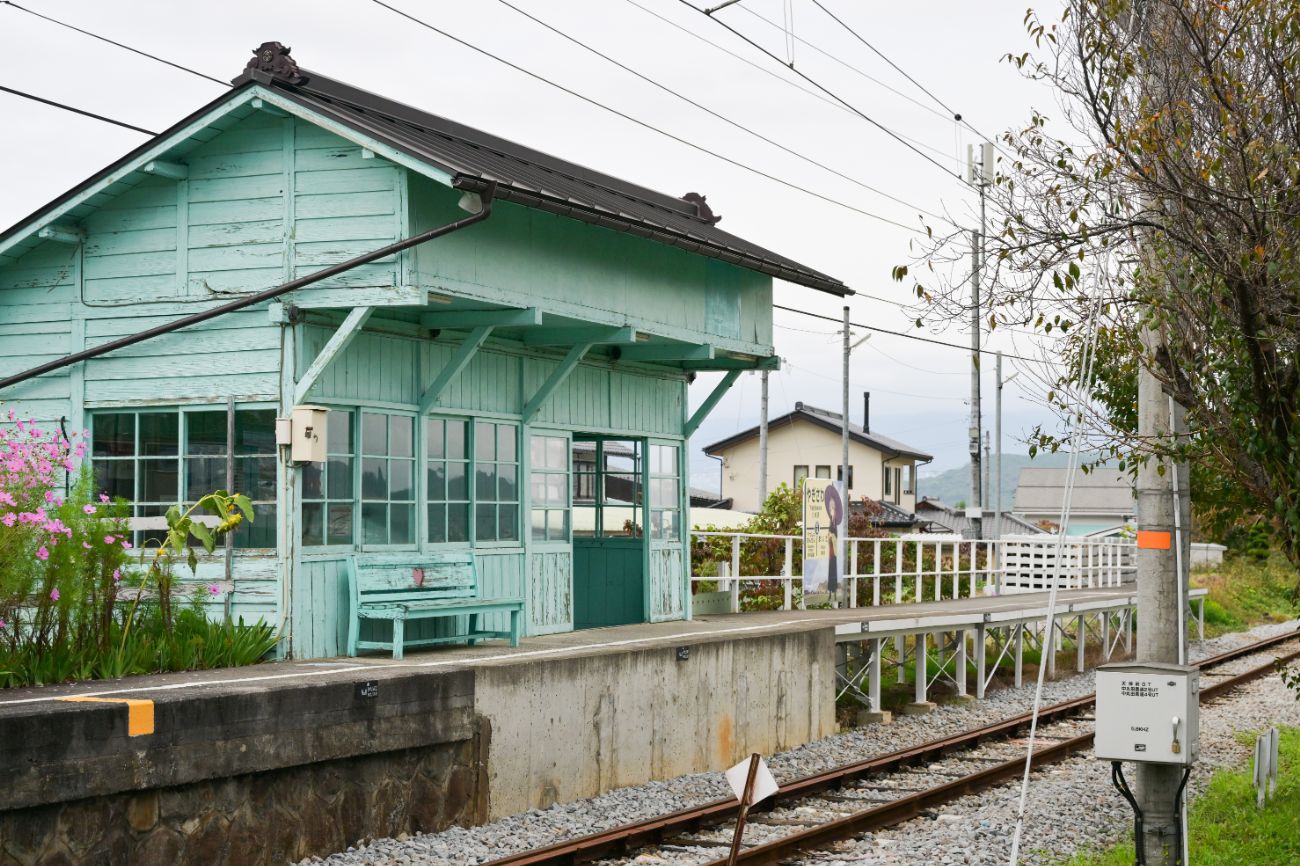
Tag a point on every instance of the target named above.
point(388, 479)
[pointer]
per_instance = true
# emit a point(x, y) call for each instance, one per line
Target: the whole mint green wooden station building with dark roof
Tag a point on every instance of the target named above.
point(461, 374)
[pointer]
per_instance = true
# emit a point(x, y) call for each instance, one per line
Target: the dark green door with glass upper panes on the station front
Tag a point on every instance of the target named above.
point(609, 532)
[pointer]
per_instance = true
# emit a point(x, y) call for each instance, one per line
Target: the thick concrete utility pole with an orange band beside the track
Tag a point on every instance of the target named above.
point(1160, 594)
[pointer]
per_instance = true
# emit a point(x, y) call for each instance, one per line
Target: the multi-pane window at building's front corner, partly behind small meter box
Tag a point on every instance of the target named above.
point(330, 493)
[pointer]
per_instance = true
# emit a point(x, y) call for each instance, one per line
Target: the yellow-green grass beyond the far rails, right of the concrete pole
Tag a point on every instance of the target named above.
point(1246, 592)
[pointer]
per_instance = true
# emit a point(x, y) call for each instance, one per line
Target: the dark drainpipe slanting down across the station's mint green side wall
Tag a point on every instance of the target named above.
point(252, 301)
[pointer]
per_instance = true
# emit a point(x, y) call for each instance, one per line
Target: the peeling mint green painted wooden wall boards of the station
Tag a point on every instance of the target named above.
point(271, 198)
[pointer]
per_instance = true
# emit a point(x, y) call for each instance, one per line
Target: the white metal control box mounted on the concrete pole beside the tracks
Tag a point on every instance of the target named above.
point(1149, 713)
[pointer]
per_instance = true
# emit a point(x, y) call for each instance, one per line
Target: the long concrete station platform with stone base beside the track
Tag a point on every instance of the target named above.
point(492, 730)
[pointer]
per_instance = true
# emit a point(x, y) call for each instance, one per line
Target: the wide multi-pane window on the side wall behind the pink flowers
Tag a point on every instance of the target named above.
point(159, 458)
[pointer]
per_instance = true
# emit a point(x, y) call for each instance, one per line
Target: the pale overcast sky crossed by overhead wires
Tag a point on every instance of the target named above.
point(920, 392)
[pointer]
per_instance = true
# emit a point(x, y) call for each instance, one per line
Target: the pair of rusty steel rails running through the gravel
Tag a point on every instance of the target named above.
point(621, 841)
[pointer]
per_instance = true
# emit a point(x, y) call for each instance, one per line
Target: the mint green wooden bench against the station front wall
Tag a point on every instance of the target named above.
point(411, 587)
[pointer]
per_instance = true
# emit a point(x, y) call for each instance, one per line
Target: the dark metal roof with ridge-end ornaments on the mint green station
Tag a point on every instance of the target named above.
point(474, 159)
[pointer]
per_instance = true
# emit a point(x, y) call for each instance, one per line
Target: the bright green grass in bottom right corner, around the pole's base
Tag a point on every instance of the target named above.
point(1228, 830)
